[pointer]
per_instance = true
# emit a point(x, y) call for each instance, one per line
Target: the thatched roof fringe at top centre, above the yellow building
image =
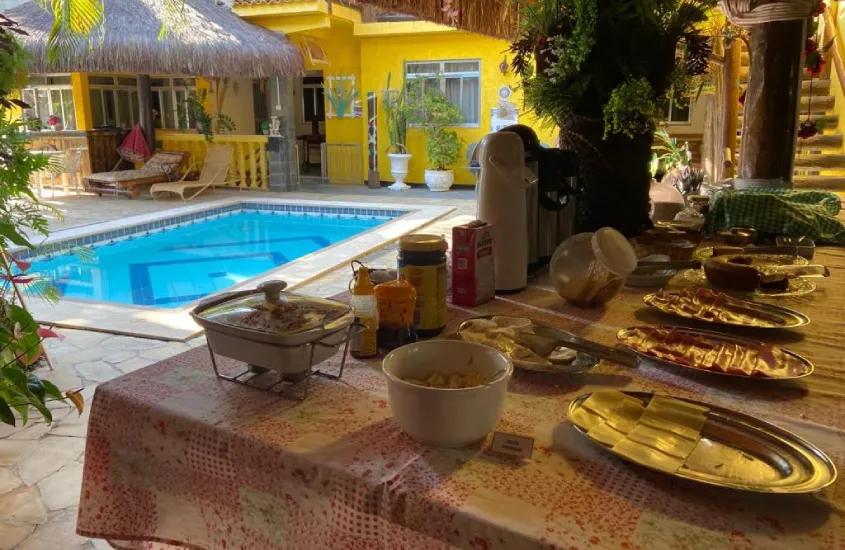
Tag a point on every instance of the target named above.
point(497, 18)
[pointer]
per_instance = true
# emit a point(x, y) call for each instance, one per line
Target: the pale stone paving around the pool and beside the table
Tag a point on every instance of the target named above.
point(41, 464)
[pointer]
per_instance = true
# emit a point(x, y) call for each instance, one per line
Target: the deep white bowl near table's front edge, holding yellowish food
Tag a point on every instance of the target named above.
point(446, 417)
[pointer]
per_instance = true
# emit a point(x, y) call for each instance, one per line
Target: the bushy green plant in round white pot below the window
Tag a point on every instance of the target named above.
point(435, 113)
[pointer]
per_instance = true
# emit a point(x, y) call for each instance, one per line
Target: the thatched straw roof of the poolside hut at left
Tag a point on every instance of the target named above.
point(209, 40)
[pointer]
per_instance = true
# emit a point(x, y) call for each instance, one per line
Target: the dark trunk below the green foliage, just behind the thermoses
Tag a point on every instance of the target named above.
point(614, 174)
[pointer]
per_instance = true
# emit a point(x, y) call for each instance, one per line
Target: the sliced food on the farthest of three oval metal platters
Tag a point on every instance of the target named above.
point(705, 305)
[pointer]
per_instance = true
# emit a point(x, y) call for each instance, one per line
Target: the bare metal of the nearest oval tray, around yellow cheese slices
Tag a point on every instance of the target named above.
point(738, 451)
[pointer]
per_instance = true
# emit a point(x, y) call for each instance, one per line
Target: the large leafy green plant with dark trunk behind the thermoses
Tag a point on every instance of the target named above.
point(600, 71)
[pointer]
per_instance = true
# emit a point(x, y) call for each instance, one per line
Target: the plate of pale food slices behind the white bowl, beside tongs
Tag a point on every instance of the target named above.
point(516, 338)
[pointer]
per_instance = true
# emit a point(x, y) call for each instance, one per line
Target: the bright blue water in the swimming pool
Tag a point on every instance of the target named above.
point(182, 264)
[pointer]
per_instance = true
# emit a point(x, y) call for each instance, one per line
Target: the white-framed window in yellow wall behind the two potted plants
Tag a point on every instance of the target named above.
point(460, 81)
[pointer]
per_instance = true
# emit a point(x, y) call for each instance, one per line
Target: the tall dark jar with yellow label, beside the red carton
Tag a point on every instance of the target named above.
point(422, 261)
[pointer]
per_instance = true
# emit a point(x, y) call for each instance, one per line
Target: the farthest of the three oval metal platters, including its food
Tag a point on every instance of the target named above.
point(721, 309)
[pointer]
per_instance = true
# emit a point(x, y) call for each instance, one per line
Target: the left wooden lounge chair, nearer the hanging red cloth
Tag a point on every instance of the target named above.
point(161, 167)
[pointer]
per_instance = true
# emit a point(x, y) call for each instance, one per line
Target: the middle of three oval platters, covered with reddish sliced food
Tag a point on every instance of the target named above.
point(712, 353)
